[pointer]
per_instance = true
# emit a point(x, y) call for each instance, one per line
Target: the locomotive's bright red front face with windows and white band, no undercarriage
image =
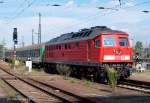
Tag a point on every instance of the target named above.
point(116, 48)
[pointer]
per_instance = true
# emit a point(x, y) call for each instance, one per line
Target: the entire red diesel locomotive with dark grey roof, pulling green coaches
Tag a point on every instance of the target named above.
point(91, 52)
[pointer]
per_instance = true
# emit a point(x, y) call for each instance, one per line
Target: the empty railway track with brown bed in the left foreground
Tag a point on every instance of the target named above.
point(37, 92)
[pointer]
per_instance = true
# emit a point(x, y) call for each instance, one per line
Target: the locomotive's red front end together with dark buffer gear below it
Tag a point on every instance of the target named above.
point(117, 53)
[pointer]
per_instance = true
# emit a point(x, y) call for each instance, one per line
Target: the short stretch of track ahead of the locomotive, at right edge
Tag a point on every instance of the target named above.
point(141, 86)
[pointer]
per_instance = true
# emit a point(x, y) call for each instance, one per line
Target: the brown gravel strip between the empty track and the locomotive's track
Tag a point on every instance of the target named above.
point(97, 92)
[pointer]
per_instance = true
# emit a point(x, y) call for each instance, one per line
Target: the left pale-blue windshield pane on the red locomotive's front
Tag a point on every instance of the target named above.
point(109, 41)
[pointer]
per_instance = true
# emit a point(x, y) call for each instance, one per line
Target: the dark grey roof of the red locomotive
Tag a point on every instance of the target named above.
point(83, 34)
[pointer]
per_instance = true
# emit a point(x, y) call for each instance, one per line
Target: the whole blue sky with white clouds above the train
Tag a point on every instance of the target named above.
point(72, 16)
